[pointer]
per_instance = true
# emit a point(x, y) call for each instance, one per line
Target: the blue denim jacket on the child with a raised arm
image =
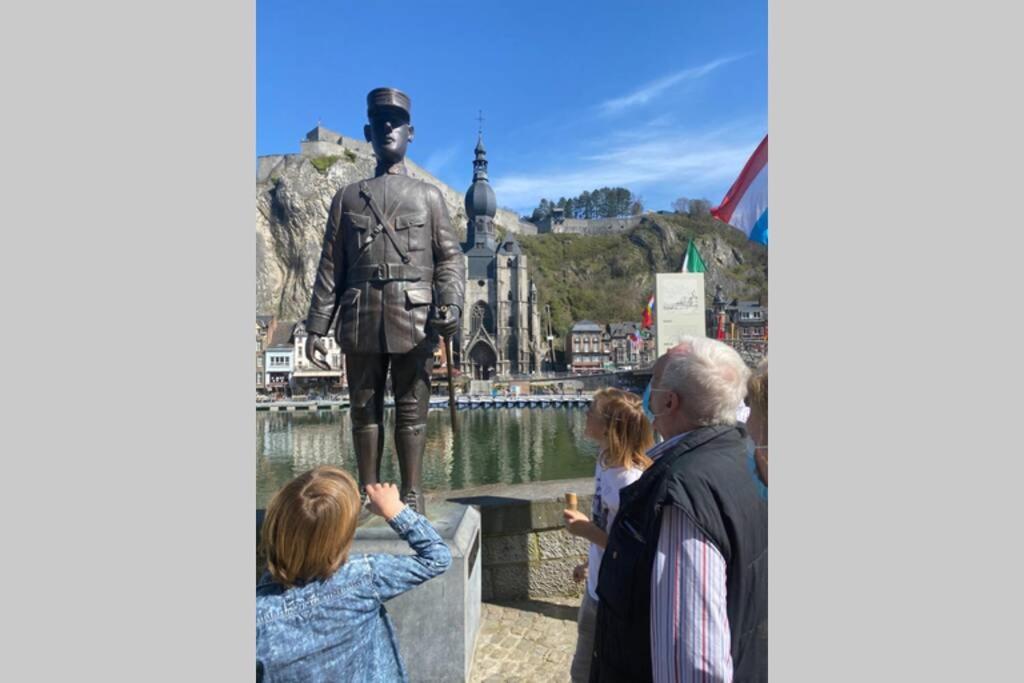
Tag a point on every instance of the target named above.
point(338, 629)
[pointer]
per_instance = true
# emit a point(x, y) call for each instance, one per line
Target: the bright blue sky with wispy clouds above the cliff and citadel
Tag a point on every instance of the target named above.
point(666, 99)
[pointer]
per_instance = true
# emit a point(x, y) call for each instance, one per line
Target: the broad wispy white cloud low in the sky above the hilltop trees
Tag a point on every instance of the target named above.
point(656, 163)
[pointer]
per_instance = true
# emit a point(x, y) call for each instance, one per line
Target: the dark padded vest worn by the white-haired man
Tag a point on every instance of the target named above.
point(706, 477)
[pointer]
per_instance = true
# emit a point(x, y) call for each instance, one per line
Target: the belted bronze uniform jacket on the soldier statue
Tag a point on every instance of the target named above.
point(383, 305)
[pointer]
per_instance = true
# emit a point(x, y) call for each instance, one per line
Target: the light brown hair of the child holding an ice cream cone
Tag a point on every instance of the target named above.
point(627, 430)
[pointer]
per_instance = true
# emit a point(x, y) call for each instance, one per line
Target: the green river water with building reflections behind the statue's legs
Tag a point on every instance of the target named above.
point(495, 446)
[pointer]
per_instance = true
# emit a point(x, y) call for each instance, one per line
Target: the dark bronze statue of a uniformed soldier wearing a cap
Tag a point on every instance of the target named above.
point(391, 264)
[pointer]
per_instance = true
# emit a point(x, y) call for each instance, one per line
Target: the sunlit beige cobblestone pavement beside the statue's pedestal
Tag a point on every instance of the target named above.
point(533, 641)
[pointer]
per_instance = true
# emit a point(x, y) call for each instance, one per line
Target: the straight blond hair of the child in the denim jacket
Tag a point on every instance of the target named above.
point(310, 526)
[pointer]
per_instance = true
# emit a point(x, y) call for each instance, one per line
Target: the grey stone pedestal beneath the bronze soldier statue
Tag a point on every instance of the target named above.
point(438, 622)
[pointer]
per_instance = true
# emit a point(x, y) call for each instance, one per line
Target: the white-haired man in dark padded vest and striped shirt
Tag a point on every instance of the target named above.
point(684, 586)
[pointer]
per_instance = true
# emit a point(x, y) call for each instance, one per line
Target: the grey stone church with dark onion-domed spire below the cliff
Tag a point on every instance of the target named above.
point(501, 324)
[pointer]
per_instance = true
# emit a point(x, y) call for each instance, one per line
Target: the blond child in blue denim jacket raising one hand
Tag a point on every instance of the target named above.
point(320, 614)
